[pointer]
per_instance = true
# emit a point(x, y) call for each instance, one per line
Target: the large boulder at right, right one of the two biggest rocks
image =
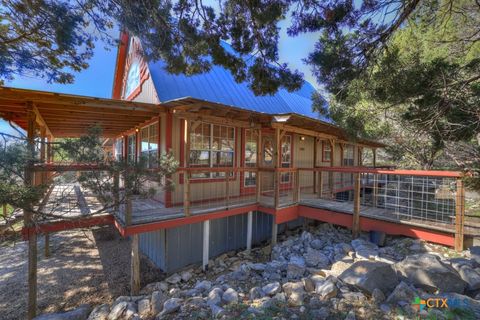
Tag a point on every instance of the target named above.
point(428, 272)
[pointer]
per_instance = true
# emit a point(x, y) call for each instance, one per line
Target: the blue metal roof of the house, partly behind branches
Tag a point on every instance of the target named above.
point(218, 85)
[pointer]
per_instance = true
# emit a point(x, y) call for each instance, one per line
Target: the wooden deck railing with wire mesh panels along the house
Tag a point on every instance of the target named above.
point(432, 199)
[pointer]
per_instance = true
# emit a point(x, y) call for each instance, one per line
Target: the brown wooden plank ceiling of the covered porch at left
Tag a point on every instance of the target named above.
point(68, 115)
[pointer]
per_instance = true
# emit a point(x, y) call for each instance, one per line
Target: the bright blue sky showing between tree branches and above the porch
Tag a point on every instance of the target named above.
point(98, 78)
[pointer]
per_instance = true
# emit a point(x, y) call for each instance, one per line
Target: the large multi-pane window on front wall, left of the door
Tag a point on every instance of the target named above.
point(212, 146)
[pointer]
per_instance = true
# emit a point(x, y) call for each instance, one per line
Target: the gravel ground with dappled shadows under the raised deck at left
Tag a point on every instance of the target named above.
point(90, 266)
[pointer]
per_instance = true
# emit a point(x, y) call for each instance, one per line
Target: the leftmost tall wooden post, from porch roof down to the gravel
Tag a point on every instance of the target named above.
point(28, 219)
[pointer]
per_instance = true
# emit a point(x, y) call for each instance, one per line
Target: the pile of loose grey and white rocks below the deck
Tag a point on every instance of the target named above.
point(320, 274)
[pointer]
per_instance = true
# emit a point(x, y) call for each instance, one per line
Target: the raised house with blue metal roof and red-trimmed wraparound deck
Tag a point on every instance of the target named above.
point(249, 166)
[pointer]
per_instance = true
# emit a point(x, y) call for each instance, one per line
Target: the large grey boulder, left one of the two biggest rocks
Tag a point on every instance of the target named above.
point(368, 275)
